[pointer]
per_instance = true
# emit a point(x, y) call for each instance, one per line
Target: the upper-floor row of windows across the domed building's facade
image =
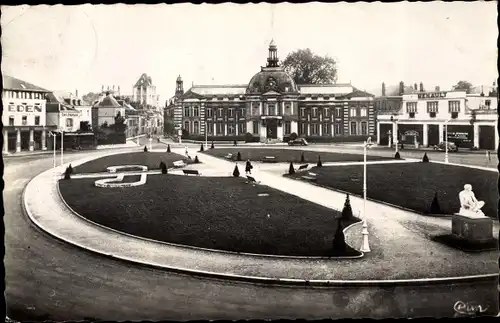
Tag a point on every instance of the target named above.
point(271, 110)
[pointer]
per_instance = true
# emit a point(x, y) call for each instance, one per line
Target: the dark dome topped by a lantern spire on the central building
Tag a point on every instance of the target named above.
point(272, 77)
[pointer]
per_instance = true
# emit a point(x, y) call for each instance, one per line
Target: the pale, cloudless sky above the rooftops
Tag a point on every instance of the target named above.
point(68, 48)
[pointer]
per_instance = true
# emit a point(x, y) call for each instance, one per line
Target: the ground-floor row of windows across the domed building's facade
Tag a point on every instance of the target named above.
point(326, 128)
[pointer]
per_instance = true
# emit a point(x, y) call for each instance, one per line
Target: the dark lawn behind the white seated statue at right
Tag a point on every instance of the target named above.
point(413, 185)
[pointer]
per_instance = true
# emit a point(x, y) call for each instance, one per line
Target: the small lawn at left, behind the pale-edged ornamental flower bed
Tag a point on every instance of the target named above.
point(150, 159)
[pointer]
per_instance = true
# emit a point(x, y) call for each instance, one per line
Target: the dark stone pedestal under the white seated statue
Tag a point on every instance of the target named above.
point(472, 229)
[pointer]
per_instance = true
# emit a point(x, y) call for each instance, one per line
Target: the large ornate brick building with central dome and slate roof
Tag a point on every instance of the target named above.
point(271, 107)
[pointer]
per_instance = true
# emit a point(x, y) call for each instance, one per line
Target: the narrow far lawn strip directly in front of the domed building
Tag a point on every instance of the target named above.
point(289, 155)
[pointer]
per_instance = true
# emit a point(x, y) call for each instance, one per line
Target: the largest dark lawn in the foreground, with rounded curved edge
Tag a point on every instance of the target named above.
point(209, 212)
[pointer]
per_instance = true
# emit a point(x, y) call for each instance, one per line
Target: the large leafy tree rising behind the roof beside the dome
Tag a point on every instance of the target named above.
point(305, 67)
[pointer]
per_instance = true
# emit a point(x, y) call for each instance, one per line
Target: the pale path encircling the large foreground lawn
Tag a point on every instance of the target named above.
point(399, 250)
